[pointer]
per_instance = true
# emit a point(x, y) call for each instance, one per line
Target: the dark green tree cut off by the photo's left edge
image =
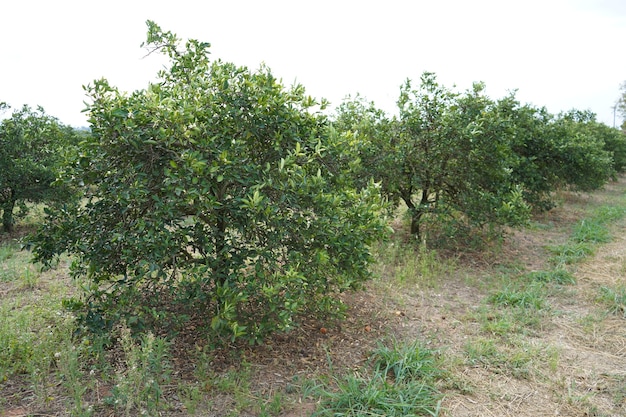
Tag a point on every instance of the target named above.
point(33, 148)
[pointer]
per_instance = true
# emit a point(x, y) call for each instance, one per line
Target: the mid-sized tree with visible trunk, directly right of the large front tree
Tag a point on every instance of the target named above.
point(446, 155)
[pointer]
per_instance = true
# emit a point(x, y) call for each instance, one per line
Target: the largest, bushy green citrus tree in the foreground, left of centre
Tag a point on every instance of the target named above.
point(211, 195)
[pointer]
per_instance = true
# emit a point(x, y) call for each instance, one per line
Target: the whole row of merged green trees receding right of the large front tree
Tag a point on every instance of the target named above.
point(466, 160)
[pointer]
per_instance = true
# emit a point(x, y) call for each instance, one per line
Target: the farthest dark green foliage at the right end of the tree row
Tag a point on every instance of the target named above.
point(558, 152)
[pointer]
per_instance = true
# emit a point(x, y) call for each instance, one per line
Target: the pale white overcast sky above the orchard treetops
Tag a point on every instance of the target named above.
point(561, 54)
